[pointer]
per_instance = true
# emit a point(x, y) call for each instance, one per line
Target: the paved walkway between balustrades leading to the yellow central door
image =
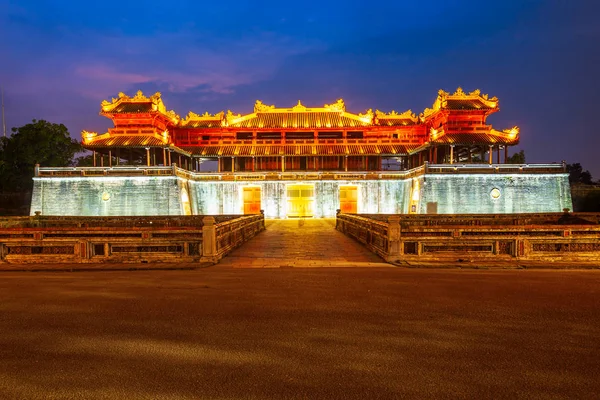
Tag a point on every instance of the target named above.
point(301, 243)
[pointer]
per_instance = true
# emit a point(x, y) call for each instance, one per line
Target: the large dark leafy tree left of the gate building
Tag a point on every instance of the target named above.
point(40, 142)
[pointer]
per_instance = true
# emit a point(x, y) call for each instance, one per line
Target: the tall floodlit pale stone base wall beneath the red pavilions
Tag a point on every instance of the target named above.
point(429, 189)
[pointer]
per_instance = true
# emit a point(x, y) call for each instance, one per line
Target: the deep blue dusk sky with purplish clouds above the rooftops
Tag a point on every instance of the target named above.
point(60, 59)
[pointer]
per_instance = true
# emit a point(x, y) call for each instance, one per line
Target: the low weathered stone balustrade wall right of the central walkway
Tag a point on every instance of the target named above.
point(549, 237)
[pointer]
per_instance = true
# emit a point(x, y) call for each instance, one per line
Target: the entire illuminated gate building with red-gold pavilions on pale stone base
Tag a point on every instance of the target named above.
point(301, 162)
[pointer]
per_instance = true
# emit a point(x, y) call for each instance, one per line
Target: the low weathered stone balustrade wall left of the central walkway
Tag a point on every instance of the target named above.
point(51, 240)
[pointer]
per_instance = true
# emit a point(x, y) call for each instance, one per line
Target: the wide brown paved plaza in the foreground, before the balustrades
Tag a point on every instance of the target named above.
point(306, 333)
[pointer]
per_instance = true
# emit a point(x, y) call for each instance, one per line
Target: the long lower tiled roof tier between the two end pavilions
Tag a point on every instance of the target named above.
point(300, 150)
